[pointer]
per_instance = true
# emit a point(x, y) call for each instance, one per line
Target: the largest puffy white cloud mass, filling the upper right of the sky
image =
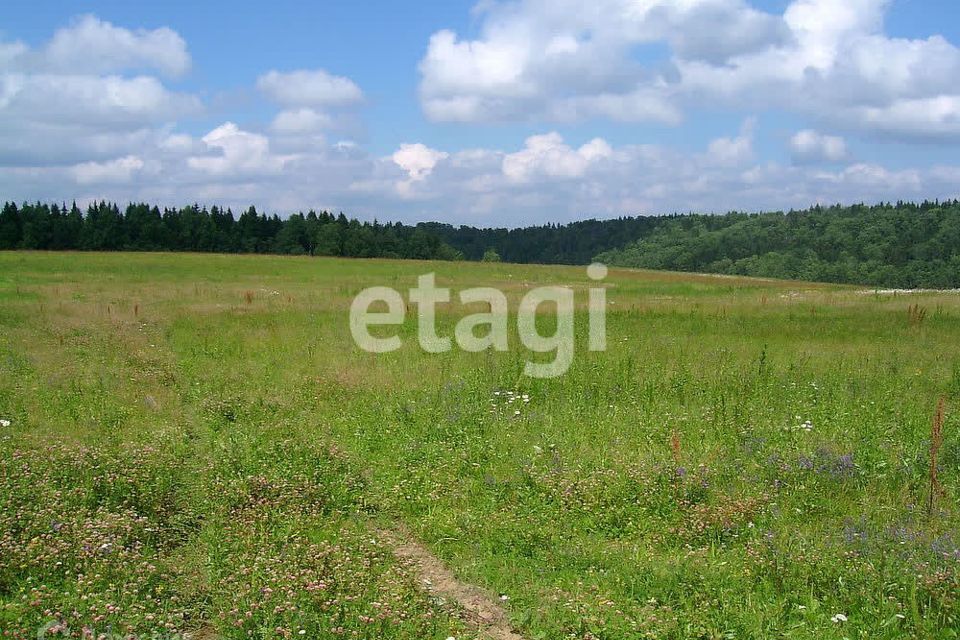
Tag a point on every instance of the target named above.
point(827, 60)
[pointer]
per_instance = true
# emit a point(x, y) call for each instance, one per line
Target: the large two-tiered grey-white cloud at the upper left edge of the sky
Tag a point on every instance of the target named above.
point(67, 101)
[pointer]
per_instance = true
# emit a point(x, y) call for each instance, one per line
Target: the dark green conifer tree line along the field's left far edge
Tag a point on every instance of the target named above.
point(140, 227)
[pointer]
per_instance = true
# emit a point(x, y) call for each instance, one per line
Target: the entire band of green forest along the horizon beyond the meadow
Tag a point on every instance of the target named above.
point(893, 245)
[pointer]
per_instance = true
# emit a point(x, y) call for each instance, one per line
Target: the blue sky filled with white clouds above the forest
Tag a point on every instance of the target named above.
point(488, 113)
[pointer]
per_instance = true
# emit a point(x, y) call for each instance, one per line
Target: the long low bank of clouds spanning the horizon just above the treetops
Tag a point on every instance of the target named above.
point(544, 179)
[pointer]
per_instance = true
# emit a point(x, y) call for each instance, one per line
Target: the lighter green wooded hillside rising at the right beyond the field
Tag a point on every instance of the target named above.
point(902, 245)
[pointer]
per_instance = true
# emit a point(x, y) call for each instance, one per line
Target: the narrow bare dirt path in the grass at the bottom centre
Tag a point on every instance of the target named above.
point(481, 608)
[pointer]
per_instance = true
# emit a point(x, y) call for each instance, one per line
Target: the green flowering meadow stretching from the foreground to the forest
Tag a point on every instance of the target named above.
point(195, 446)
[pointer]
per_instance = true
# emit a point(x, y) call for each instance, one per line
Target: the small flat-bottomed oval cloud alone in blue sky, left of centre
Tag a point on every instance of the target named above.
point(309, 88)
